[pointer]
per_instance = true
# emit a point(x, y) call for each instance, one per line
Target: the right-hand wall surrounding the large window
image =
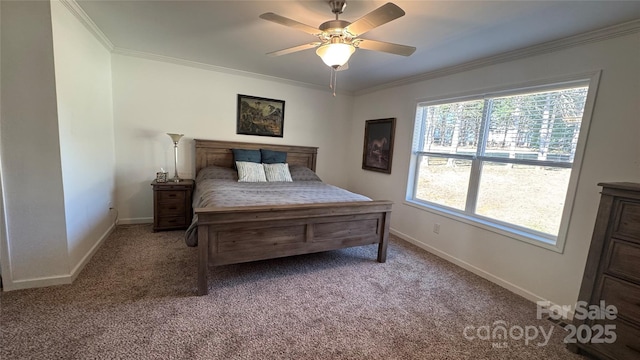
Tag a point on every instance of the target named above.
point(612, 154)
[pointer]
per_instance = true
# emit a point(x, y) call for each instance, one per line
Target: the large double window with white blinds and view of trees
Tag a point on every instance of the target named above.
point(501, 160)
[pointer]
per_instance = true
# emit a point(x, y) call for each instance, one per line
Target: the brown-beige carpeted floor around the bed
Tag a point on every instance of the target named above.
point(136, 300)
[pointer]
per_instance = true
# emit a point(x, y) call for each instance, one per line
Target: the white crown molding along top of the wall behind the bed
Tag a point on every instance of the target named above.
point(220, 69)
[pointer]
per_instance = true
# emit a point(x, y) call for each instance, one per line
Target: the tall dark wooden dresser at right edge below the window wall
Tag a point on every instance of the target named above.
point(612, 272)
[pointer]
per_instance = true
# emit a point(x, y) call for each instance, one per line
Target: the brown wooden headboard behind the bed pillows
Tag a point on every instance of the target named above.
point(213, 152)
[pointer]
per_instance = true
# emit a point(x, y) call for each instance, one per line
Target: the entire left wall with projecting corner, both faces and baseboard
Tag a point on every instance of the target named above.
point(58, 160)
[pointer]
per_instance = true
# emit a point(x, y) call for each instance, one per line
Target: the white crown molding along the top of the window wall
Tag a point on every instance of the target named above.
point(539, 49)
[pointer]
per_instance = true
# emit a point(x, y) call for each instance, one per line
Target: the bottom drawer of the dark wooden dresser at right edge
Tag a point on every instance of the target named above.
point(627, 344)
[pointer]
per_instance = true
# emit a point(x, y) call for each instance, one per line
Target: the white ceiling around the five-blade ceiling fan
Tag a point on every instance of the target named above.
point(229, 34)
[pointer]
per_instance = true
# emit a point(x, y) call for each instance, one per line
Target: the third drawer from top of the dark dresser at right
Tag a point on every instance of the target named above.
point(623, 295)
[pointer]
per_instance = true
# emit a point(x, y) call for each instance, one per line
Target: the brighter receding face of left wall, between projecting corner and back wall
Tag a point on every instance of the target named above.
point(85, 120)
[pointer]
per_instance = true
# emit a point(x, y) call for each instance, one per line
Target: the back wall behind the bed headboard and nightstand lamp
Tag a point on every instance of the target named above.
point(152, 98)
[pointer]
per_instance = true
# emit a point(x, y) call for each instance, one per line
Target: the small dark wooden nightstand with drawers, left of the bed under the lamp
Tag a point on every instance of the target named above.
point(172, 205)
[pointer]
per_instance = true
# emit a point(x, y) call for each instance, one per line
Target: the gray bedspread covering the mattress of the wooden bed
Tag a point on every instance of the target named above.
point(231, 193)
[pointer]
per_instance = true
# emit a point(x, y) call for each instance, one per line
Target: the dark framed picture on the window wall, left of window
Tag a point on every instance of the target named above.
point(378, 145)
